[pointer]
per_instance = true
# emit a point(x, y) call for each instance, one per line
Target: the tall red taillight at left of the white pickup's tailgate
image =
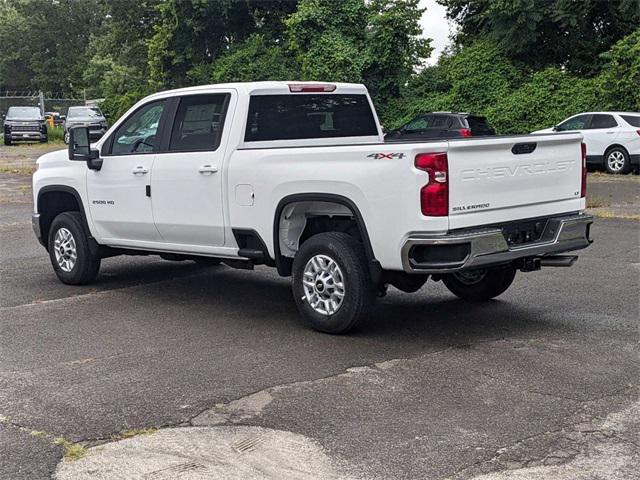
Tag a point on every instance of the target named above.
point(434, 196)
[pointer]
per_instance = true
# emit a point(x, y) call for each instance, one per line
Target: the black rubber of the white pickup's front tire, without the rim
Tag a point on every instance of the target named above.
point(87, 265)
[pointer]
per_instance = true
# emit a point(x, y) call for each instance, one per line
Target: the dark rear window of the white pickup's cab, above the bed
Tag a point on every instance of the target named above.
point(309, 116)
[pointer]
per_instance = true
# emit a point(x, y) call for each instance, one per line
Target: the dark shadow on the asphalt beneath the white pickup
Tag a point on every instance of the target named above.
point(263, 301)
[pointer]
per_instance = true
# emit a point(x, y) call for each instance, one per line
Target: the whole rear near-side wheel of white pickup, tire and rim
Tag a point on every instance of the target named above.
point(332, 286)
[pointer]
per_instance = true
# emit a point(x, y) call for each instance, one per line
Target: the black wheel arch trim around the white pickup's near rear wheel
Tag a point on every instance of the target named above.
point(283, 263)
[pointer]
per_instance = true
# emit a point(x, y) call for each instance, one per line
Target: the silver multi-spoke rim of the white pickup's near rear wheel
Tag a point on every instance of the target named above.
point(323, 284)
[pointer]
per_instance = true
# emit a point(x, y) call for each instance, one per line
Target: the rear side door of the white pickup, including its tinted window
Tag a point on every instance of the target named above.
point(186, 185)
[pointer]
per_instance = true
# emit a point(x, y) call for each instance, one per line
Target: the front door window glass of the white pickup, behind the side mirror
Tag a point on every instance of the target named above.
point(138, 133)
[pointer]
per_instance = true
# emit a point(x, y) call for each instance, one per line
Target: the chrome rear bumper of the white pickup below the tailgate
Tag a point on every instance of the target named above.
point(477, 248)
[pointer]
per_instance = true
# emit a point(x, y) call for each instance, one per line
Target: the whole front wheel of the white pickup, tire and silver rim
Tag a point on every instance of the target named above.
point(69, 251)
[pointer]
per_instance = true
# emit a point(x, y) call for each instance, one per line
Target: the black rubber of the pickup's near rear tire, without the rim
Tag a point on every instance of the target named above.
point(358, 292)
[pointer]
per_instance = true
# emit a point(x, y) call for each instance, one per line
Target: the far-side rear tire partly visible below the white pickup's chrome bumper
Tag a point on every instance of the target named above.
point(489, 283)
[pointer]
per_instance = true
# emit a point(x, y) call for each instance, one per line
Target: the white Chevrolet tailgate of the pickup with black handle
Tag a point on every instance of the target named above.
point(505, 178)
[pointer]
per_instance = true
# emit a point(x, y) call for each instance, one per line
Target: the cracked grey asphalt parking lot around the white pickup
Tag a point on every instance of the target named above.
point(169, 370)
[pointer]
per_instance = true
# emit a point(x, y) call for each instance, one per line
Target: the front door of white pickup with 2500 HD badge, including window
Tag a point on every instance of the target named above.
point(118, 203)
